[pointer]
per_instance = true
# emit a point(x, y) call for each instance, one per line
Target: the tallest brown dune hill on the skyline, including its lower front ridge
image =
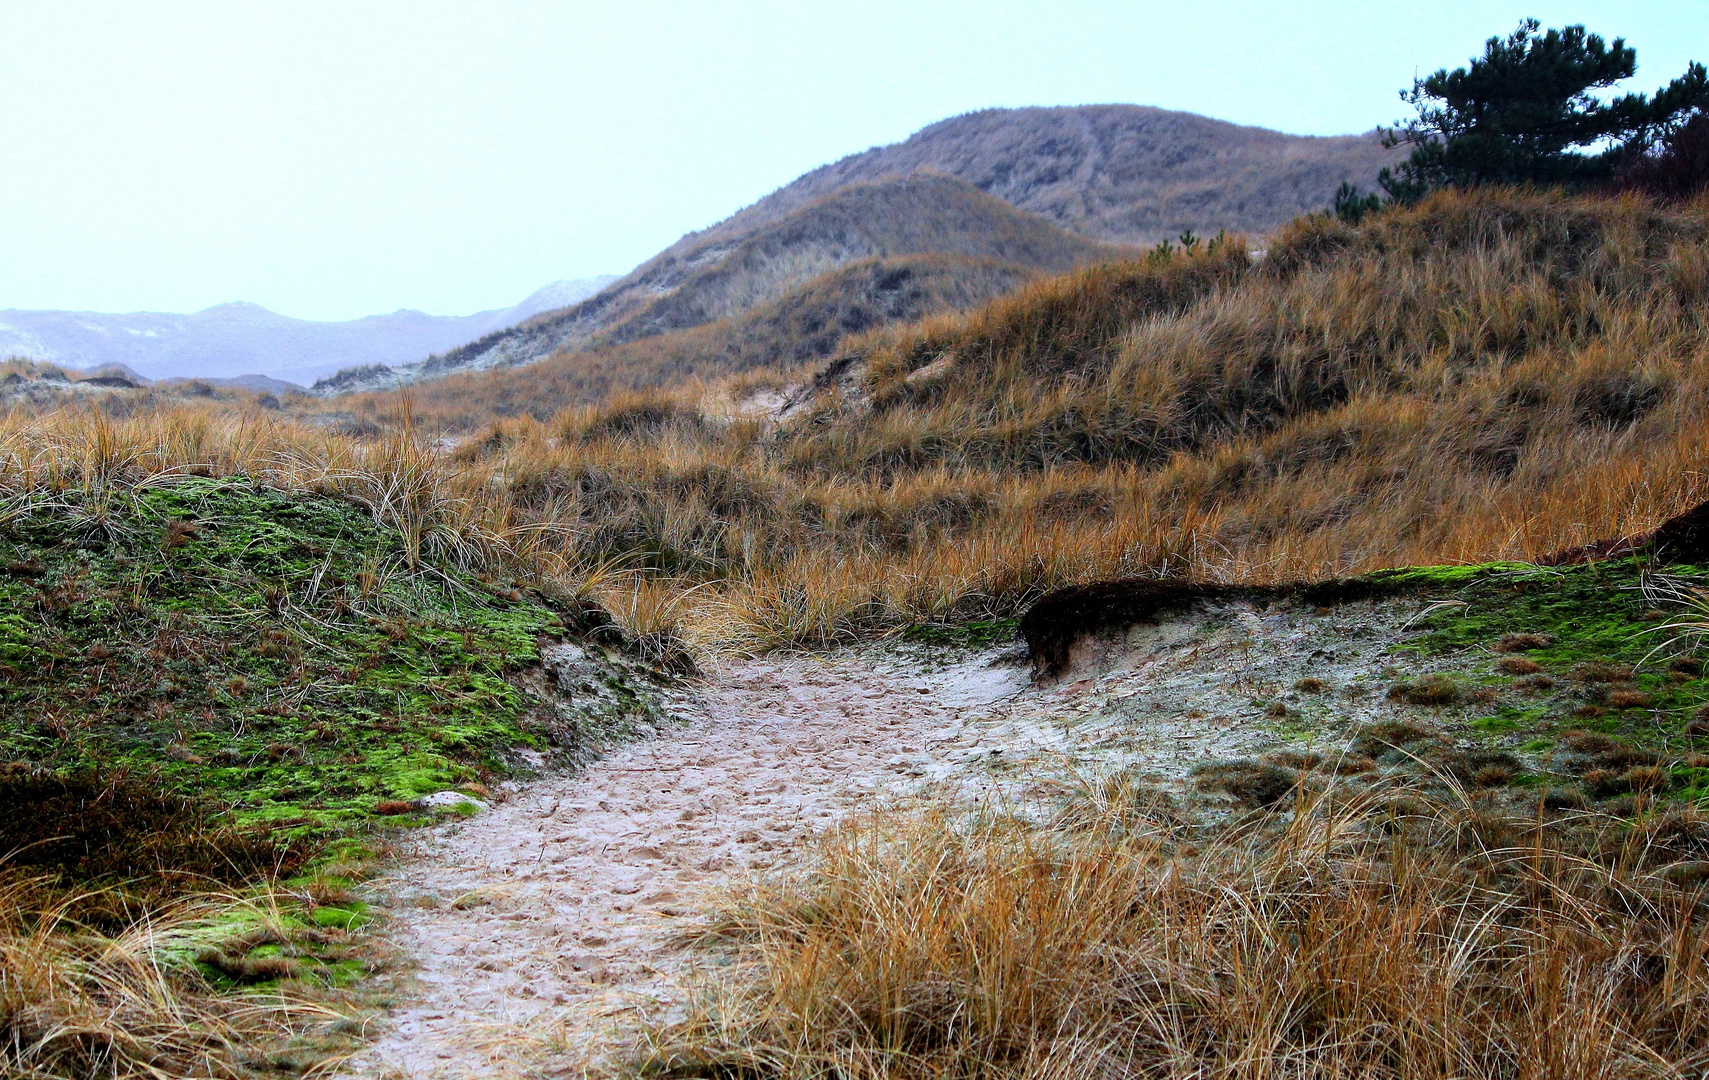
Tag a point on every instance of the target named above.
point(1040, 189)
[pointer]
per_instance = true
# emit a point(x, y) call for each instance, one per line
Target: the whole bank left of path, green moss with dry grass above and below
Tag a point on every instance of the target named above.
point(233, 659)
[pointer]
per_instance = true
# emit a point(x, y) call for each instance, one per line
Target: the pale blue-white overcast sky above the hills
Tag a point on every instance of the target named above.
point(343, 160)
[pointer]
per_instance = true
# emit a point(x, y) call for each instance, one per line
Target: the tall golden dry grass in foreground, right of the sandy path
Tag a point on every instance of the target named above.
point(1342, 936)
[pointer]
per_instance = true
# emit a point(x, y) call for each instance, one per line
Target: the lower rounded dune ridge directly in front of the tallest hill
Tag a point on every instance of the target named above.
point(698, 285)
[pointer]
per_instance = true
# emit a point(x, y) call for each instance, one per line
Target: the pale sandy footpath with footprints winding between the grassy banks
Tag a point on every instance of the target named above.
point(544, 929)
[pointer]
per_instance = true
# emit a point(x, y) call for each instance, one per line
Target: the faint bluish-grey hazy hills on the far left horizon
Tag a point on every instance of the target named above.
point(233, 341)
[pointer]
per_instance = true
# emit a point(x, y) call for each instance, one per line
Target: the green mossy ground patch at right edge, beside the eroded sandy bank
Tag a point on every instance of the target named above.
point(1589, 674)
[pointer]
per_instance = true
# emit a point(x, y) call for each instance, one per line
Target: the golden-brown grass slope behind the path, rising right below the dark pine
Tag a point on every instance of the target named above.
point(1483, 377)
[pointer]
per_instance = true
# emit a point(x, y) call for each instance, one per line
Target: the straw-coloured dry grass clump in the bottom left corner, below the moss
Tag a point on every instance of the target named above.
point(79, 1004)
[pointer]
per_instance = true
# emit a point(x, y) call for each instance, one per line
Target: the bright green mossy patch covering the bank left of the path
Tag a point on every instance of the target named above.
point(271, 649)
